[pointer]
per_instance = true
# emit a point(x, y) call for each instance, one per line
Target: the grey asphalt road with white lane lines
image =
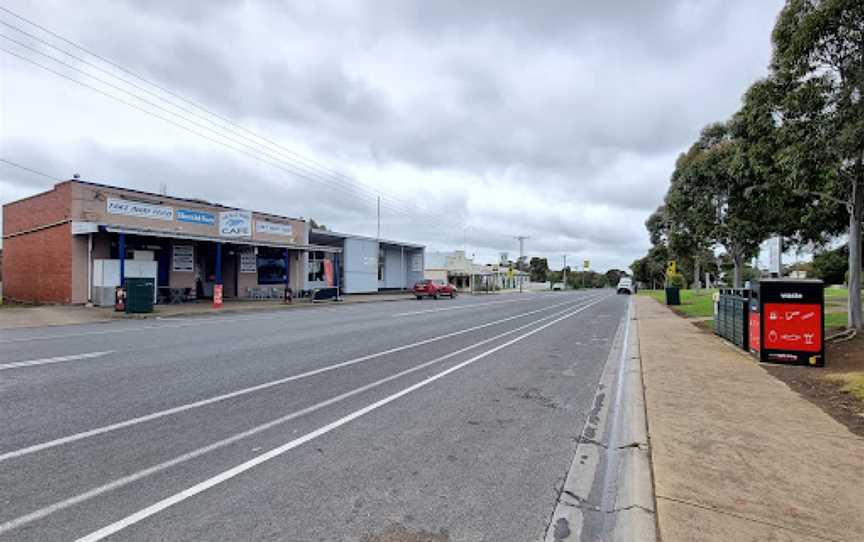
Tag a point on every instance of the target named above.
point(454, 419)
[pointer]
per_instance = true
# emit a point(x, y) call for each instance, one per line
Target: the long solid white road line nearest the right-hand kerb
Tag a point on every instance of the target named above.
point(168, 502)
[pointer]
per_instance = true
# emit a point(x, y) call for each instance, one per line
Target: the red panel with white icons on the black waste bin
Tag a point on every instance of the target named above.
point(793, 326)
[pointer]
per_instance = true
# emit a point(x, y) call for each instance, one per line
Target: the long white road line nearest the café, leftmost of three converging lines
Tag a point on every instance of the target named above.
point(203, 402)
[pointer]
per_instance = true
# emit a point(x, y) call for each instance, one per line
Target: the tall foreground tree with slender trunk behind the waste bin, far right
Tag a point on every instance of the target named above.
point(818, 66)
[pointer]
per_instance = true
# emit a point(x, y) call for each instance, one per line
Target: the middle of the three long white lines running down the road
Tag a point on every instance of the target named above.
point(126, 480)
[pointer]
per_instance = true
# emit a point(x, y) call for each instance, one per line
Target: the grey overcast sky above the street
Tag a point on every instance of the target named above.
point(477, 121)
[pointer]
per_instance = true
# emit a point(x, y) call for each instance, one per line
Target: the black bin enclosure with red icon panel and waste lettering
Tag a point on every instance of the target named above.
point(787, 323)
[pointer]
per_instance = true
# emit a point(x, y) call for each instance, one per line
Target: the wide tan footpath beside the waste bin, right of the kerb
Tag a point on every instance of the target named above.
point(736, 454)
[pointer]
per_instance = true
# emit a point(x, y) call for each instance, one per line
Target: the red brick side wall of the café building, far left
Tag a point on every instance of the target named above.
point(37, 266)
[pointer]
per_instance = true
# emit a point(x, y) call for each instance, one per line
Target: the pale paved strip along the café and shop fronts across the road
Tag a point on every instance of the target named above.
point(15, 317)
